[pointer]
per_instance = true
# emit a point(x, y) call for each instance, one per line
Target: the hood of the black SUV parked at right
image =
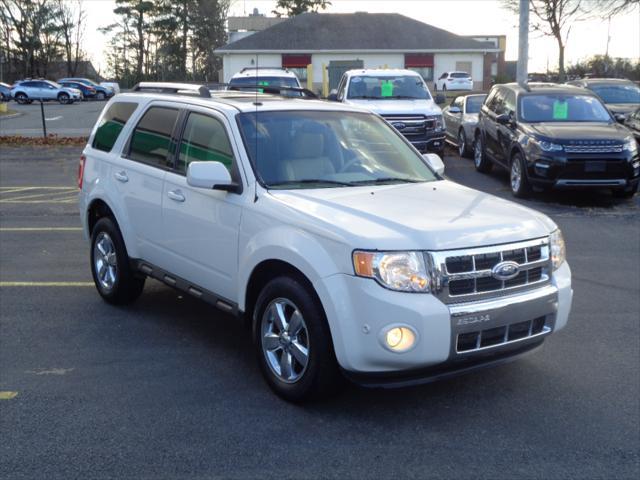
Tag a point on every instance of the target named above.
point(579, 131)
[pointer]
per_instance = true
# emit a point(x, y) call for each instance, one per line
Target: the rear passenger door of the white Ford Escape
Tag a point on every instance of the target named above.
point(138, 176)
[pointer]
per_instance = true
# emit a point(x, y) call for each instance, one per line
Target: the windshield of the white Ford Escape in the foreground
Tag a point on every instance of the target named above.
point(316, 149)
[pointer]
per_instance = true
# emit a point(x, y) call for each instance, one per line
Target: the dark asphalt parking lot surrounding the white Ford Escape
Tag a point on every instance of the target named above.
point(169, 387)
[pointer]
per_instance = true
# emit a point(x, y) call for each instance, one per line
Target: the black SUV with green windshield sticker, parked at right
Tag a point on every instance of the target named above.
point(555, 136)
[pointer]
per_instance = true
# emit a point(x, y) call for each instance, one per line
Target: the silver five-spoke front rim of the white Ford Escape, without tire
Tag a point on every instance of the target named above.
point(285, 340)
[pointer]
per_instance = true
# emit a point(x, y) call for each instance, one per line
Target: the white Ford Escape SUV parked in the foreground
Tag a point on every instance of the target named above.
point(345, 251)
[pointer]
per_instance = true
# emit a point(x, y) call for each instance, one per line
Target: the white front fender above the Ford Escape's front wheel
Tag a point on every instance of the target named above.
point(315, 257)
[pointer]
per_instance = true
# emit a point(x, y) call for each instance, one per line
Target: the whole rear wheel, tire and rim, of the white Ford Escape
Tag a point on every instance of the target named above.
point(115, 280)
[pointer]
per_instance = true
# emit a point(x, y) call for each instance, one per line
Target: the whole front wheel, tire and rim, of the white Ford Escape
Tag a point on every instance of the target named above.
point(293, 341)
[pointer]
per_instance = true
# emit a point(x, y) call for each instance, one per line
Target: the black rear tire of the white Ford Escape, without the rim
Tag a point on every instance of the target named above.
point(128, 284)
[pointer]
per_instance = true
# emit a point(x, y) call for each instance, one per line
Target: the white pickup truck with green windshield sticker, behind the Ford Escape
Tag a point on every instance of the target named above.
point(402, 98)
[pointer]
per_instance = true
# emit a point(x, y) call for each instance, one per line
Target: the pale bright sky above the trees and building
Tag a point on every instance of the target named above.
point(463, 17)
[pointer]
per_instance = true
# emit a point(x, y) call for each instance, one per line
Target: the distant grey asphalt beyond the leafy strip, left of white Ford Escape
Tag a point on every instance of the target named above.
point(74, 120)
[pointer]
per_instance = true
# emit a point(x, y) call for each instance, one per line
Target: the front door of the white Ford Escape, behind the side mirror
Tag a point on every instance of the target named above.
point(201, 227)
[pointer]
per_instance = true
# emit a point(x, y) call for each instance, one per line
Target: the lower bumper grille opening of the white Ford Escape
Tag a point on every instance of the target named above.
point(482, 339)
